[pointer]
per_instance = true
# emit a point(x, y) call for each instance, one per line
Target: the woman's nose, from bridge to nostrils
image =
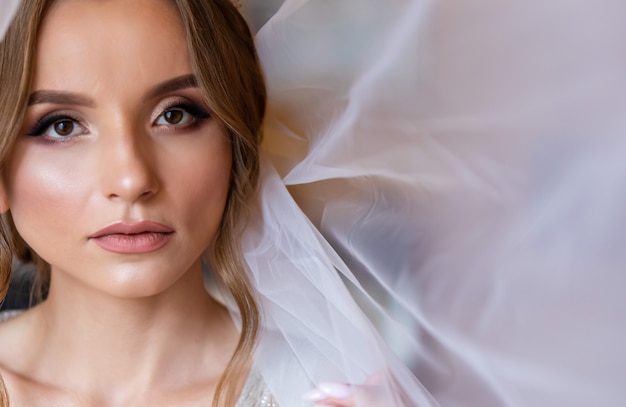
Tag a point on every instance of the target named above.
point(127, 166)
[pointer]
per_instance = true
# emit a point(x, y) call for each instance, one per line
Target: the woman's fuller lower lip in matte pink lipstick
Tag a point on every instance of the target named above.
point(133, 244)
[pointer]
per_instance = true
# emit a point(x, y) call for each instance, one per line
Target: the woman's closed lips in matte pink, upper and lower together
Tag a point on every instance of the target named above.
point(133, 238)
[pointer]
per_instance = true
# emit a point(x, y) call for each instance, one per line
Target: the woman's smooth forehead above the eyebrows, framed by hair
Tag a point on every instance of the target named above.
point(109, 44)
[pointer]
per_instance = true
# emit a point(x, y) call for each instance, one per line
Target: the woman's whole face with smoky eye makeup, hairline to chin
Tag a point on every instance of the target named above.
point(120, 176)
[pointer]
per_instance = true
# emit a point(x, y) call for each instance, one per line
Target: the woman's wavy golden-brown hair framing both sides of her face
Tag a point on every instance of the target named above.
point(224, 60)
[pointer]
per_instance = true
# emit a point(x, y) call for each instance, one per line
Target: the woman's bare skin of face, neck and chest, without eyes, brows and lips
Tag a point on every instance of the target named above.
point(117, 329)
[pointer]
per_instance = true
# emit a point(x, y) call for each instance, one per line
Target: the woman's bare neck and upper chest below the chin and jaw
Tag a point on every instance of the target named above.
point(167, 341)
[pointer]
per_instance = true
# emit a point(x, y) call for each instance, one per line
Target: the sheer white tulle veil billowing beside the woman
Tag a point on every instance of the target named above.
point(442, 199)
